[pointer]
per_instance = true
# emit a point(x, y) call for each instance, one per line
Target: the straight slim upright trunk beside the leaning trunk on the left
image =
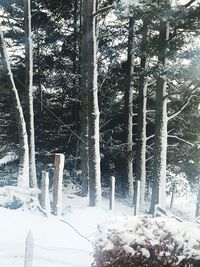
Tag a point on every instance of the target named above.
point(29, 87)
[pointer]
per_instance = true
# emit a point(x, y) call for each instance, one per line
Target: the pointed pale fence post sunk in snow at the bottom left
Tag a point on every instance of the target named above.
point(28, 261)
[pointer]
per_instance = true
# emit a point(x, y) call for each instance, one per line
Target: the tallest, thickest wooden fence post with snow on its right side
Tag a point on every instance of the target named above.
point(57, 185)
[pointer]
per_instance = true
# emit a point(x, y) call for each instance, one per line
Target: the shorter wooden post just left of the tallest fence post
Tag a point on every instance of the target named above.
point(45, 200)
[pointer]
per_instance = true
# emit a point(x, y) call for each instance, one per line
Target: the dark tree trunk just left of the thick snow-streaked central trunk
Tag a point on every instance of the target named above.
point(84, 108)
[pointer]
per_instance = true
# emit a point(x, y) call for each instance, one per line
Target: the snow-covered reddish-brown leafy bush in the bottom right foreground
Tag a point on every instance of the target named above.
point(142, 241)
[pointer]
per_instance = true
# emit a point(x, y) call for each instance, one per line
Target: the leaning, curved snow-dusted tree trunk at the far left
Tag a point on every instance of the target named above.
point(23, 176)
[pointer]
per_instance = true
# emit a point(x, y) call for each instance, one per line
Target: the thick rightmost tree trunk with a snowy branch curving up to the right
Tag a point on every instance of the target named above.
point(161, 117)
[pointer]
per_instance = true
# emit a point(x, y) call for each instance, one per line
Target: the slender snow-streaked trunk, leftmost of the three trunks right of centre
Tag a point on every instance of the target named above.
point(129, 109)
